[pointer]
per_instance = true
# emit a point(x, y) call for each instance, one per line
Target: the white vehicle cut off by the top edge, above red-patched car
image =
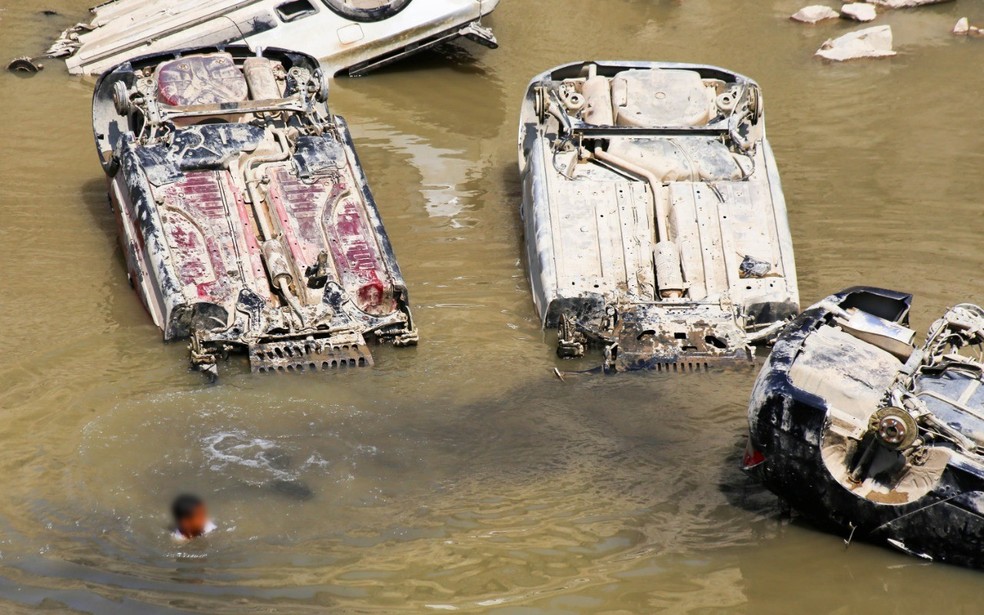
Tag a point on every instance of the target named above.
point(348, 36)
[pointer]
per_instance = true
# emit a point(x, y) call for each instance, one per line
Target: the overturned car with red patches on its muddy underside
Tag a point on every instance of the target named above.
point(244, 215)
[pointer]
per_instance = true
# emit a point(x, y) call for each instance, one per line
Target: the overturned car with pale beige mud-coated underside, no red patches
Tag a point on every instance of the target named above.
point(654, 217)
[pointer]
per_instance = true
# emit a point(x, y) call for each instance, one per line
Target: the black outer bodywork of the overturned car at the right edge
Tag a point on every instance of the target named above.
point(784, 453)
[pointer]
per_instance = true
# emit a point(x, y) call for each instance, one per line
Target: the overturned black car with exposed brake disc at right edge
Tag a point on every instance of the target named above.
point(866, 434)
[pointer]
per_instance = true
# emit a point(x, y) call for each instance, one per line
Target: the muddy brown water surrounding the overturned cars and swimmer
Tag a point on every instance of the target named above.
point(462, 476)
